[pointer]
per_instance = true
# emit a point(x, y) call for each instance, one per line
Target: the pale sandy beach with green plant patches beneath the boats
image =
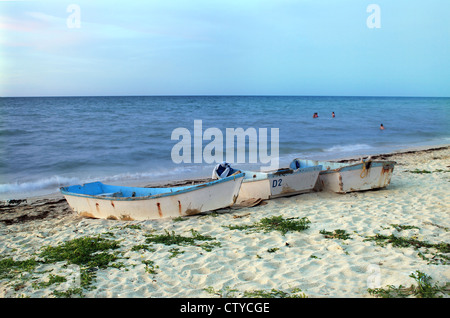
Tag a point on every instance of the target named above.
point(222, 260)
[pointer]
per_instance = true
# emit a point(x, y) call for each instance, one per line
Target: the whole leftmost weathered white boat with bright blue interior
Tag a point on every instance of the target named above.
point(99, 200)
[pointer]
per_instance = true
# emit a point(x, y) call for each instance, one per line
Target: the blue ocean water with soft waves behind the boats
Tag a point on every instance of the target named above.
point(49, 142)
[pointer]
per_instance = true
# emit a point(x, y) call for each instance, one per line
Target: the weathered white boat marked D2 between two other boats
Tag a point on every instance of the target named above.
point(277, 183)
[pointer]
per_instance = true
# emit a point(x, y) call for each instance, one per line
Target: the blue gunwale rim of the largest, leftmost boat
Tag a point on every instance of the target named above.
point(154, 196)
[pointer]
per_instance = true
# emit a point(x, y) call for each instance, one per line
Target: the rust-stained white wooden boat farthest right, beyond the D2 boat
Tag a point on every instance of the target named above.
point(343, 177)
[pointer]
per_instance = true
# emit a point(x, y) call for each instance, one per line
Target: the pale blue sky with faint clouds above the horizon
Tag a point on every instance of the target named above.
point(225, 47)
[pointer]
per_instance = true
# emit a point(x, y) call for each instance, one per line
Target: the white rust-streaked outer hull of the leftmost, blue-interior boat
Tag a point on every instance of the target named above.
point(184, 202)
